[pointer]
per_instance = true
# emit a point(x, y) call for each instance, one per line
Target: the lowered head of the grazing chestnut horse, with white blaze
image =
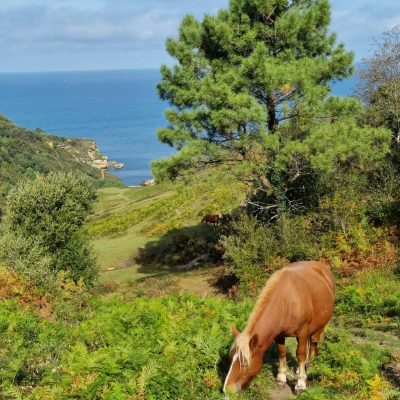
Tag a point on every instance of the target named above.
point(247, 360)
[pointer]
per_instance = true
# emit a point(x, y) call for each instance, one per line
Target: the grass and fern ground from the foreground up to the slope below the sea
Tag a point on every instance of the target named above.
point(142, 336)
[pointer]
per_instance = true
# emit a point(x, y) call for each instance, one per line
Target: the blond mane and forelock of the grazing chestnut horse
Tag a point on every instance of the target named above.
point(242, 341)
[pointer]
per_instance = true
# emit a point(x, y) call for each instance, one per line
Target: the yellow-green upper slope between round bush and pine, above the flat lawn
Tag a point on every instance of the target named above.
point(155, 211)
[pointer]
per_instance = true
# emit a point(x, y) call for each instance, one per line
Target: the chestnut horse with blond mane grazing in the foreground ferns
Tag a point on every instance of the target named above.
point(297, 301)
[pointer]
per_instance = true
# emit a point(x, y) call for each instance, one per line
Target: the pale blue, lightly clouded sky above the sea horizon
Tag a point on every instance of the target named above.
point(51, 35)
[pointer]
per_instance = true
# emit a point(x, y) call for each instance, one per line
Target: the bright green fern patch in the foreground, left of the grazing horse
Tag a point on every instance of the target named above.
point(110, 356)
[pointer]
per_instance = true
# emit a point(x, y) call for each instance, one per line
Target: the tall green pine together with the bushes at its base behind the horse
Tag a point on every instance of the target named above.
point(251, 88)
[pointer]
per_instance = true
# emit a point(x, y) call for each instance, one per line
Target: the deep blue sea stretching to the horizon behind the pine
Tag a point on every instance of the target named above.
point(119, 110)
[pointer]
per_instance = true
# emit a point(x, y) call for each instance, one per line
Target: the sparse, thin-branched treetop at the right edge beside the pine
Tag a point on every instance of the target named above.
point(379, 84)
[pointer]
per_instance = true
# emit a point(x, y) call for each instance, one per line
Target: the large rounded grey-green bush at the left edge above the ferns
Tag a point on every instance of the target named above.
point(44, 227)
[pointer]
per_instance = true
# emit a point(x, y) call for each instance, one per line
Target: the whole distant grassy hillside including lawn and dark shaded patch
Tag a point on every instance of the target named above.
point(154, 230)
